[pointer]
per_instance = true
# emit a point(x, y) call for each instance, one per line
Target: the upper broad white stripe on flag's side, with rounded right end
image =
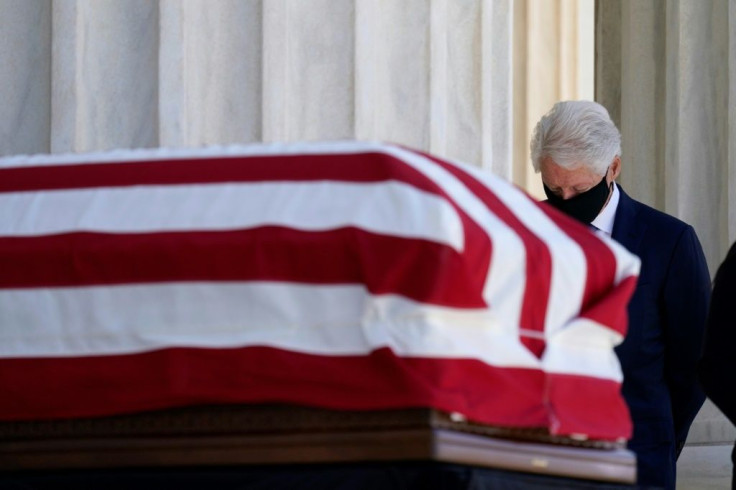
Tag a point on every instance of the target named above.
point(392, 208)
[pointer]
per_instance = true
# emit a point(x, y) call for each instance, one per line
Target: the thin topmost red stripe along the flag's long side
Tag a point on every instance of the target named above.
point(361, 167)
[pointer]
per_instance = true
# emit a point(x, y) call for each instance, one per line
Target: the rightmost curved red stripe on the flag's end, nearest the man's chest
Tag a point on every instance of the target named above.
point(603, 300)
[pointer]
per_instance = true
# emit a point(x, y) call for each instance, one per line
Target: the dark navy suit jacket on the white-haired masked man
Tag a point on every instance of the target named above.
point(660, 354)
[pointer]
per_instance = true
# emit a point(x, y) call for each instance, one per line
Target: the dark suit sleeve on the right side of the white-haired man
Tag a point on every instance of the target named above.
point(687, 296)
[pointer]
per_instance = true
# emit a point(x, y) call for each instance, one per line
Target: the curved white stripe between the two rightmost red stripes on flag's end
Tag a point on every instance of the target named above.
point(569, 269)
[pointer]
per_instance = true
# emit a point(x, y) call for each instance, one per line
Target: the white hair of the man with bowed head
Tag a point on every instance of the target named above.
point(574, 132)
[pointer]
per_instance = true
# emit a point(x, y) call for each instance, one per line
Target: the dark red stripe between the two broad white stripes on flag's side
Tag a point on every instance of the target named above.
point(419, 269)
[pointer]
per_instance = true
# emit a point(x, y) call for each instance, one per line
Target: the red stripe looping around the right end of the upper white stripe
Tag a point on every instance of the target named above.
point(85, 258)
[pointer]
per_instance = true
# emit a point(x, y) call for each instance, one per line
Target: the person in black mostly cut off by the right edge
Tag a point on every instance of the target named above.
point(718, 365)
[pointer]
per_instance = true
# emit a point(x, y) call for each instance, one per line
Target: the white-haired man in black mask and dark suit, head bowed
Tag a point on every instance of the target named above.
point(577, 148)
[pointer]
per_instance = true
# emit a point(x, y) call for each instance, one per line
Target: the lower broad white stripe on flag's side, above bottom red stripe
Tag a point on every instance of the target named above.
point(328, 320)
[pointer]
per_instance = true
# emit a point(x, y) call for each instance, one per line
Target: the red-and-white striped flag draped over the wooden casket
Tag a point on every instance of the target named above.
point(338, 275)
